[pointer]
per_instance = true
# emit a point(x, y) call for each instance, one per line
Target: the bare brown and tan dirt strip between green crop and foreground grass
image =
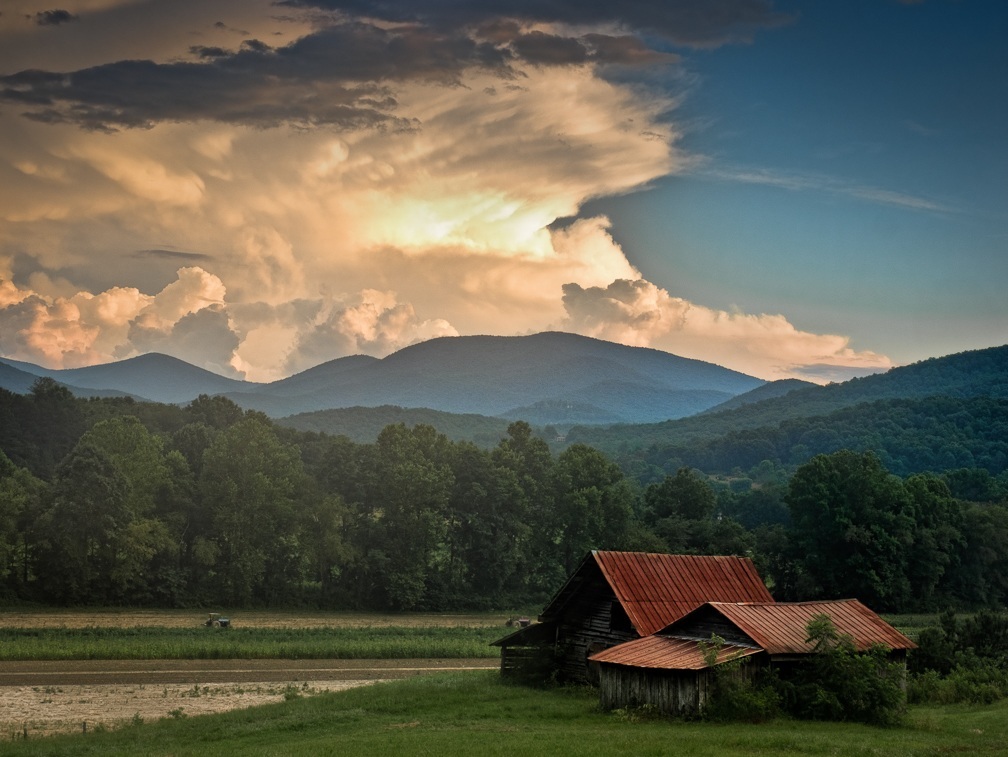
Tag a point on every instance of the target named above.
point(47, 698)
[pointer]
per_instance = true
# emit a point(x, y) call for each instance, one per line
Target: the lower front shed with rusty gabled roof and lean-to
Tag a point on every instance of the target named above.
point(669, 671)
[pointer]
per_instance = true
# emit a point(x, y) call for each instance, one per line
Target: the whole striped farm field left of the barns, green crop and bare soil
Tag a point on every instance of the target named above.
point(62, 670)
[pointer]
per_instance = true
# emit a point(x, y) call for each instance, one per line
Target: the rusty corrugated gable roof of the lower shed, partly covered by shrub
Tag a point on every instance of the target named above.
point(780, 627)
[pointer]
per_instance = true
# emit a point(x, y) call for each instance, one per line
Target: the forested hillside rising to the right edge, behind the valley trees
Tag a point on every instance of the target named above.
point(792, 428)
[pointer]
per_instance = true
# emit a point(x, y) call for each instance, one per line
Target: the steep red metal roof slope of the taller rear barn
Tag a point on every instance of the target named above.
point(657, 590)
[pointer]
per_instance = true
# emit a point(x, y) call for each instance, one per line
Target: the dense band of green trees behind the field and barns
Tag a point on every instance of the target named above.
point(112, 501)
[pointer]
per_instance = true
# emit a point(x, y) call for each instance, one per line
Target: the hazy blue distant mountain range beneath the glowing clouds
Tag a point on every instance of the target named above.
point(486, 375)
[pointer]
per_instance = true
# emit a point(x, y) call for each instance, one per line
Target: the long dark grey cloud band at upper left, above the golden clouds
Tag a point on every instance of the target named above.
point(341, 77)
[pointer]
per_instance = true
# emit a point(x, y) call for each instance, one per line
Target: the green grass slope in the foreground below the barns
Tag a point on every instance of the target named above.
point(467, 714)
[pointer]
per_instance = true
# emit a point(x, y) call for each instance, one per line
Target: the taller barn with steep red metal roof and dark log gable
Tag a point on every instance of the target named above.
point(617, 597)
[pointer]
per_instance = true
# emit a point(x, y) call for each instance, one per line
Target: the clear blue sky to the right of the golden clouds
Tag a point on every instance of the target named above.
point(853, 175)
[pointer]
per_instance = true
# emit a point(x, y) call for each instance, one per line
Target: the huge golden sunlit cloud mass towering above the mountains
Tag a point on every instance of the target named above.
point(417, 182)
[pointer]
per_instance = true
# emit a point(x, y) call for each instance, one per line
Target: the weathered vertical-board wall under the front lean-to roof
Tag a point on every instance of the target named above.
point(682, 693)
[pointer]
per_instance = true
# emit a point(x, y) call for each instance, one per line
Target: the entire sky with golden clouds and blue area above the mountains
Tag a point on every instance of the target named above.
point(811, 190)
